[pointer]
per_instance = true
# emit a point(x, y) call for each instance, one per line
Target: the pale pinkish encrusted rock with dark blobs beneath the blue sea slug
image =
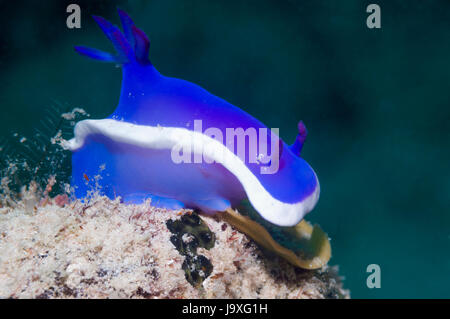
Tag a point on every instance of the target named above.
point(102, 248)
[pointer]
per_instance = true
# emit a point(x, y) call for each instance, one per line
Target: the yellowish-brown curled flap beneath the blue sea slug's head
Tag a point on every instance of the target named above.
point(313, 249)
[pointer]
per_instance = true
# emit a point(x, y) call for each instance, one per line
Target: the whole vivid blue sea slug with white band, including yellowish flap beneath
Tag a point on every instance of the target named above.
point(175, 143)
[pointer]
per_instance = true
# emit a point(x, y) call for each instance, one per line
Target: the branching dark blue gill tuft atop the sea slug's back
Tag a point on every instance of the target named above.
point(131, 46)
